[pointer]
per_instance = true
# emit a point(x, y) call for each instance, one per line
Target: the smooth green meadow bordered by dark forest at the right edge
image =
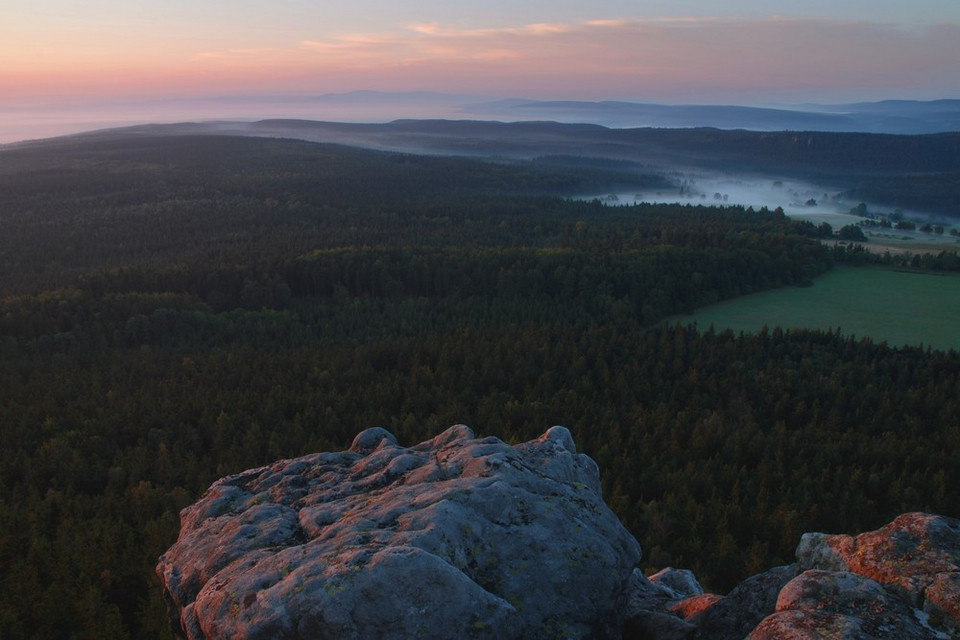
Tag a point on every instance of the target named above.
point(901, 308)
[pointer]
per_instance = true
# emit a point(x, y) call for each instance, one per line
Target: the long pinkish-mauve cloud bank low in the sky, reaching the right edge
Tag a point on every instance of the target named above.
point(644, 58)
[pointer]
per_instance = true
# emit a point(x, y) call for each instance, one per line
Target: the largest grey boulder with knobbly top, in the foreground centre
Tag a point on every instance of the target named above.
point(456, 537)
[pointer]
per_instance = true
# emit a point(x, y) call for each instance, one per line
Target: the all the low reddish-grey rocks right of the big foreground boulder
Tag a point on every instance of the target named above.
point(901, 581)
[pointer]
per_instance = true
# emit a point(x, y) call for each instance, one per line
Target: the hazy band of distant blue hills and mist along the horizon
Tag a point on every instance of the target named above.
point(22, 122)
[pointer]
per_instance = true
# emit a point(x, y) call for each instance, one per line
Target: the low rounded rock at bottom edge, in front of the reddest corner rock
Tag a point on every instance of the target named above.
point(839, 604)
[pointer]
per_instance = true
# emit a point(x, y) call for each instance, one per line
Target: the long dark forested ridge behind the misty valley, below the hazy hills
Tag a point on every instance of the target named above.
point(909, 171)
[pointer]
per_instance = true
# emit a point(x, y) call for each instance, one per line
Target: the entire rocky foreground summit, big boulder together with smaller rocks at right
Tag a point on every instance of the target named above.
point(465, 537)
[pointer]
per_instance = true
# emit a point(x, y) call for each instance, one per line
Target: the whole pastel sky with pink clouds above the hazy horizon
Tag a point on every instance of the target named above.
point(746, 52)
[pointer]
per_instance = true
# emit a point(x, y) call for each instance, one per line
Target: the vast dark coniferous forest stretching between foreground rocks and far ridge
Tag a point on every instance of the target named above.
point(176, 309)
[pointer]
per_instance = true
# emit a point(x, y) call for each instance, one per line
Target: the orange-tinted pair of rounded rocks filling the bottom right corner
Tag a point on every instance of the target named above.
point(900, 581)
